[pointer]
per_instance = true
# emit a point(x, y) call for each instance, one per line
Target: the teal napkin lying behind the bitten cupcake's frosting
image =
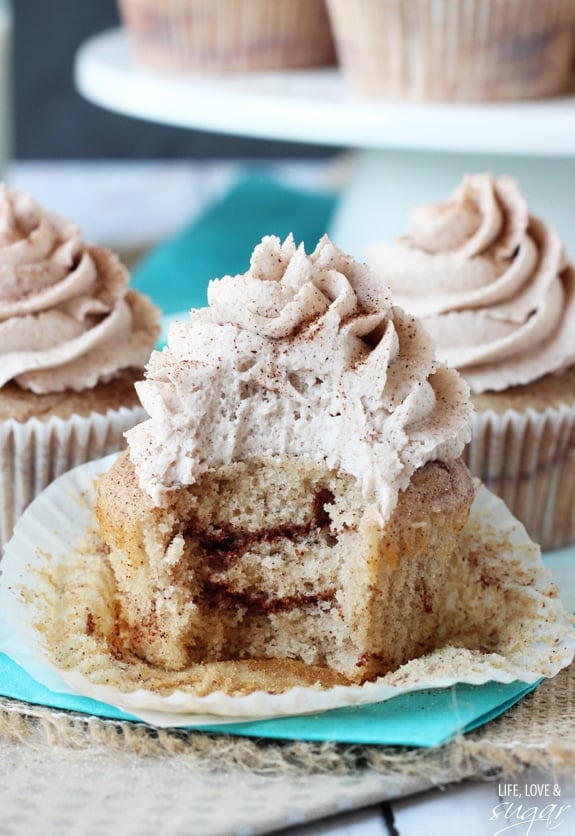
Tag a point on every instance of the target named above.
point(176, 274)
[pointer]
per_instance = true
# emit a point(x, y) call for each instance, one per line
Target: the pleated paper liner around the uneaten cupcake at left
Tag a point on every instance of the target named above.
point(33, 453)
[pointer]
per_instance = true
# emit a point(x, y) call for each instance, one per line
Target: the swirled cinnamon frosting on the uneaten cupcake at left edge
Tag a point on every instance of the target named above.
point(67, 318)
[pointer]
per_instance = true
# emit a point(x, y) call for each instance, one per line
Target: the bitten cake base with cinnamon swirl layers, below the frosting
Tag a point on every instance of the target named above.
point(282, 558)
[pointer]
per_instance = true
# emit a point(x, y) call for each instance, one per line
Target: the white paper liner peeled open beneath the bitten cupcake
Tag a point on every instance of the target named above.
point(508, 593)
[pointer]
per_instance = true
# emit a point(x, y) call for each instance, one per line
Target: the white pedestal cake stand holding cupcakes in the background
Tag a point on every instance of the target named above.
point(403, 153)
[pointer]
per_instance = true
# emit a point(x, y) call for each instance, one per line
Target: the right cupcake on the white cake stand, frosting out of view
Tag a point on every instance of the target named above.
point(466, 50)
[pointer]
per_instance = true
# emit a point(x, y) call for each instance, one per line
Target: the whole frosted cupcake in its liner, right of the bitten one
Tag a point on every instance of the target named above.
point(493, 286)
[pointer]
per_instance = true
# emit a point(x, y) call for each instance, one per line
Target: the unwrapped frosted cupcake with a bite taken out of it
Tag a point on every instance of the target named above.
point(296, 498)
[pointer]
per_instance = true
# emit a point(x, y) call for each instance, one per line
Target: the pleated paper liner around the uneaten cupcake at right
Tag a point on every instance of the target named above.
point(528, 459)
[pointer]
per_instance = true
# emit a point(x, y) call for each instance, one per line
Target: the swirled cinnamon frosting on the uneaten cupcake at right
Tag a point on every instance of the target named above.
point(490, 282)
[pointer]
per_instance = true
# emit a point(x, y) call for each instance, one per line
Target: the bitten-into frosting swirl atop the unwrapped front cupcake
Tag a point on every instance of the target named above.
point(302, 355)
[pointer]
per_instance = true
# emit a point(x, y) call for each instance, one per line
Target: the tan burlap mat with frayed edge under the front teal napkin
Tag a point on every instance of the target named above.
point(57, 765)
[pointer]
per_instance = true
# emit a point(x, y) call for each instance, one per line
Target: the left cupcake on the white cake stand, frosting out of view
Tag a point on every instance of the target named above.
point(226, 35)
